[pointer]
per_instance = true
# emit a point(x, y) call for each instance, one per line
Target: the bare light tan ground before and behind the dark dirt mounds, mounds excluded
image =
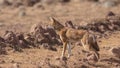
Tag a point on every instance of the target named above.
point(43, 58)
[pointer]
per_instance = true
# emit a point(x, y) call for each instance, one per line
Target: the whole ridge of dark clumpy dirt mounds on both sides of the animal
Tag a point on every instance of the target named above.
point(46, 35)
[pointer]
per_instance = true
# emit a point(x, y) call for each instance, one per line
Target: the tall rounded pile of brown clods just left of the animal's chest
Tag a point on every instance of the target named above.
point(44, 34)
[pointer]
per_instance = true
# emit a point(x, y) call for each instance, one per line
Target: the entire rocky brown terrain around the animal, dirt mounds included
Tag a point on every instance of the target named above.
point(27, 41)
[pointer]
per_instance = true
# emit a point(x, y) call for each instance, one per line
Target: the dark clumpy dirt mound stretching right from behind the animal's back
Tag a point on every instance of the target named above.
point(103, 26)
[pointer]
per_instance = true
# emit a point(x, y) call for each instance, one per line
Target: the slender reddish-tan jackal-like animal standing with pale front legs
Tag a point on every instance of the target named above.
point(68, 35)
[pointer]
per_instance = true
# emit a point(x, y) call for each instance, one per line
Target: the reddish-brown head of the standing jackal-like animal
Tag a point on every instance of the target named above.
point(55, 24)
